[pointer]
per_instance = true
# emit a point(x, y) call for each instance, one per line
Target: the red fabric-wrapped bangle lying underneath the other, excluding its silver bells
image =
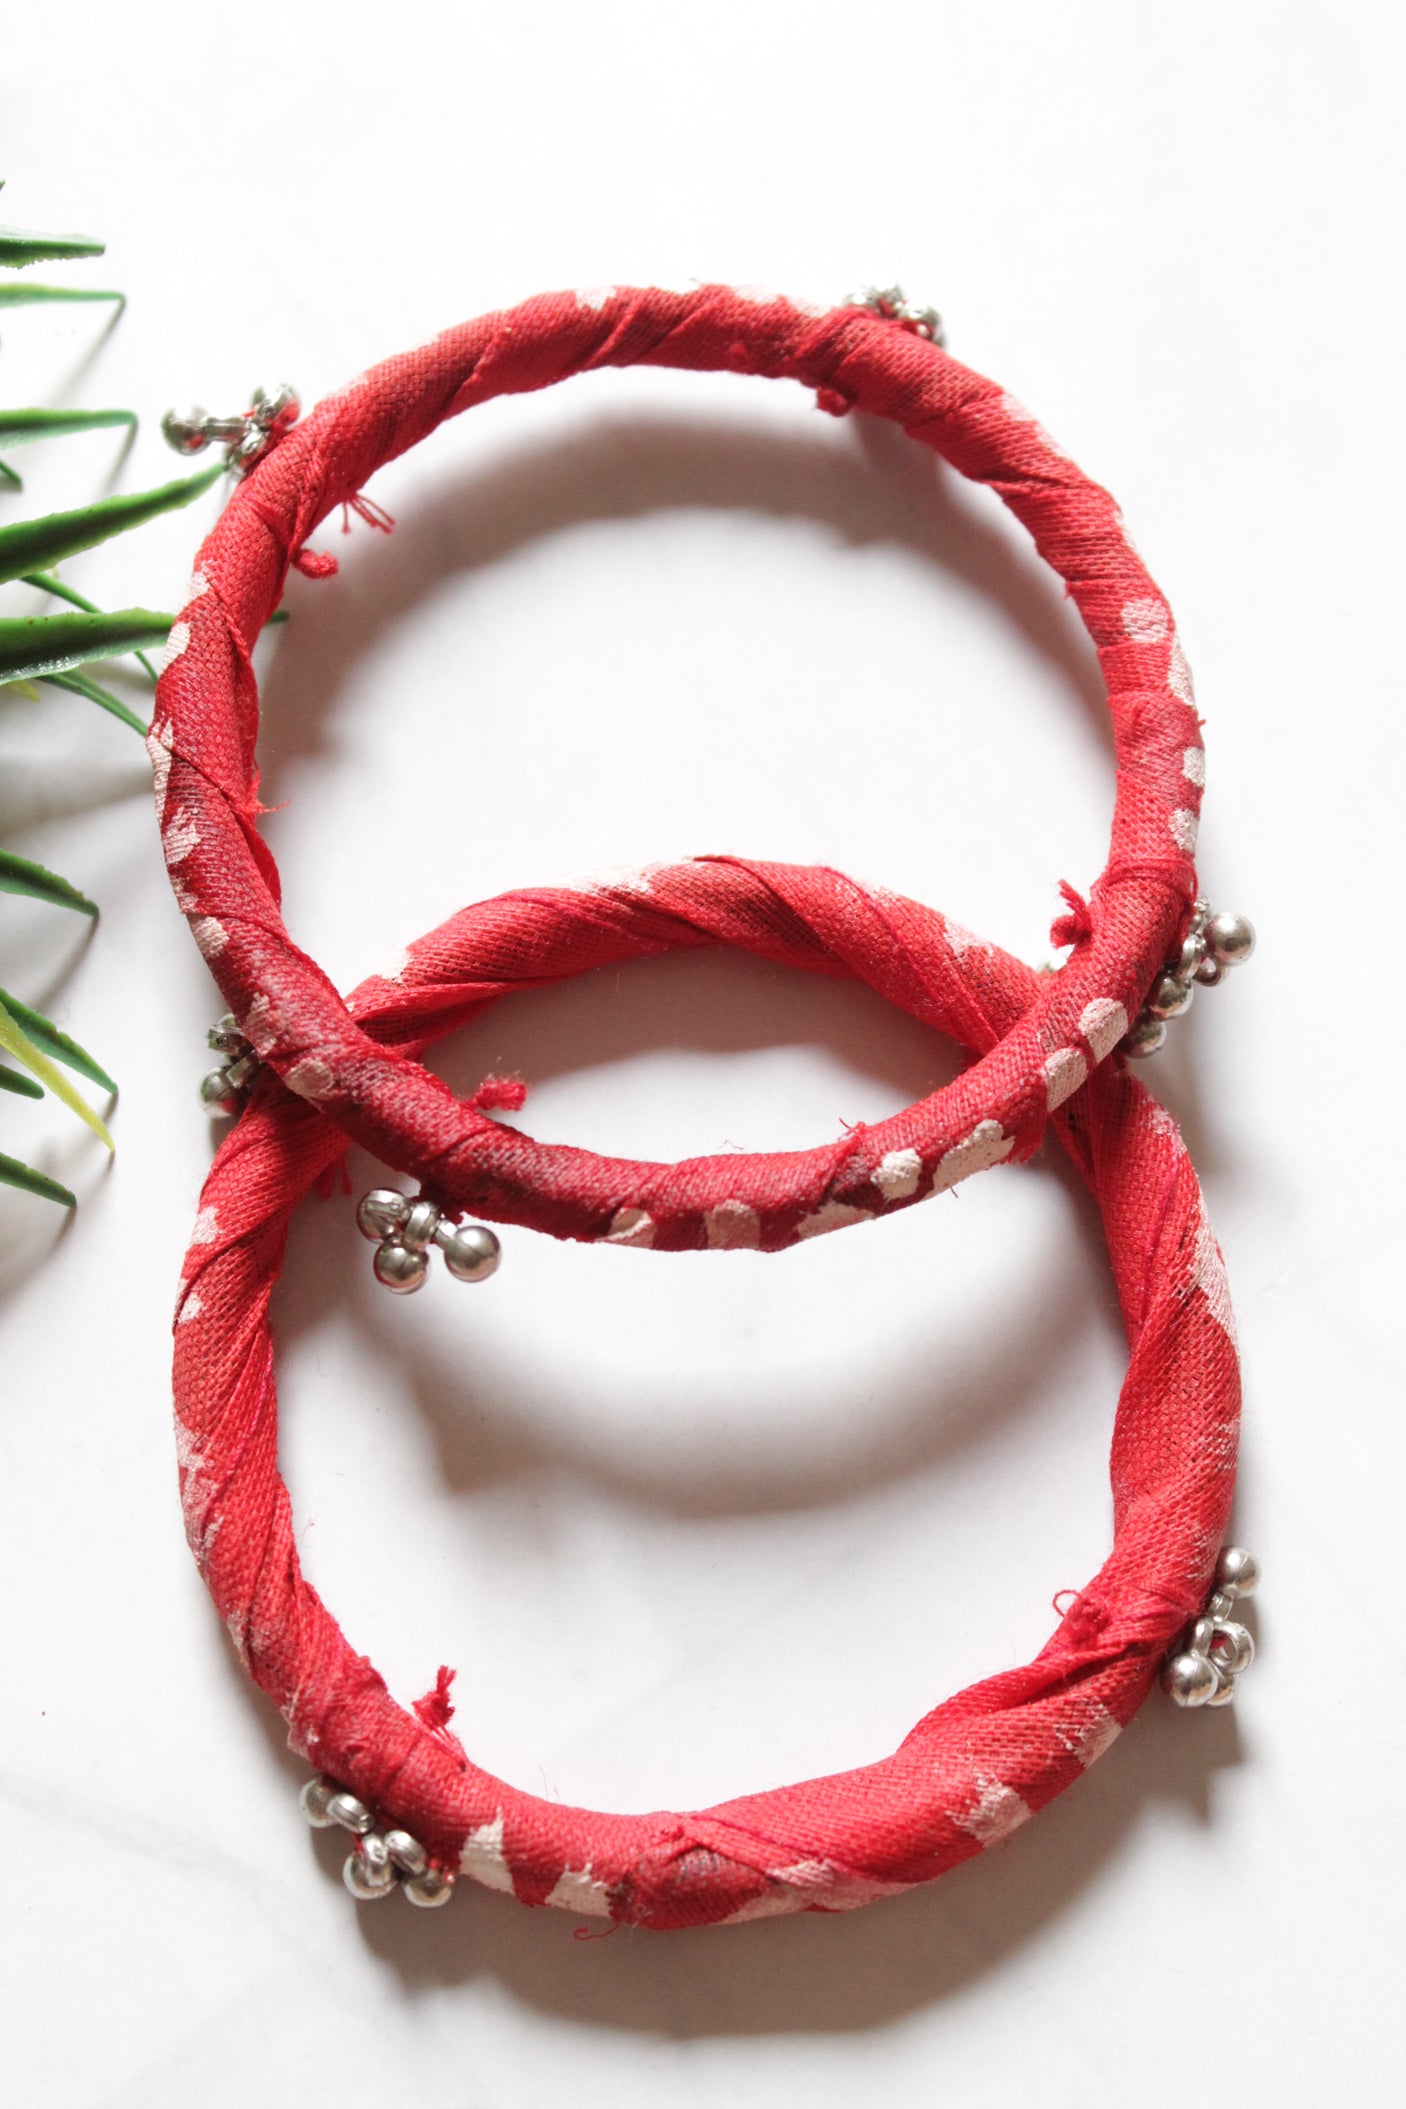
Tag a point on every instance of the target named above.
point(983, 1760)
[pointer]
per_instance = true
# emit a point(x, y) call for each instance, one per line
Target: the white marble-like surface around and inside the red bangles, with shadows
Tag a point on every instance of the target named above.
point(695, 1526)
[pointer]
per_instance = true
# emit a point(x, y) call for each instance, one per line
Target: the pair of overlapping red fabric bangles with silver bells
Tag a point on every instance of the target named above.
point(313, 1072)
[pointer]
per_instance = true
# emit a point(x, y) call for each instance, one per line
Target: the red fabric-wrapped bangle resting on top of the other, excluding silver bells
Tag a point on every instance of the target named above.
point(203, 750)
